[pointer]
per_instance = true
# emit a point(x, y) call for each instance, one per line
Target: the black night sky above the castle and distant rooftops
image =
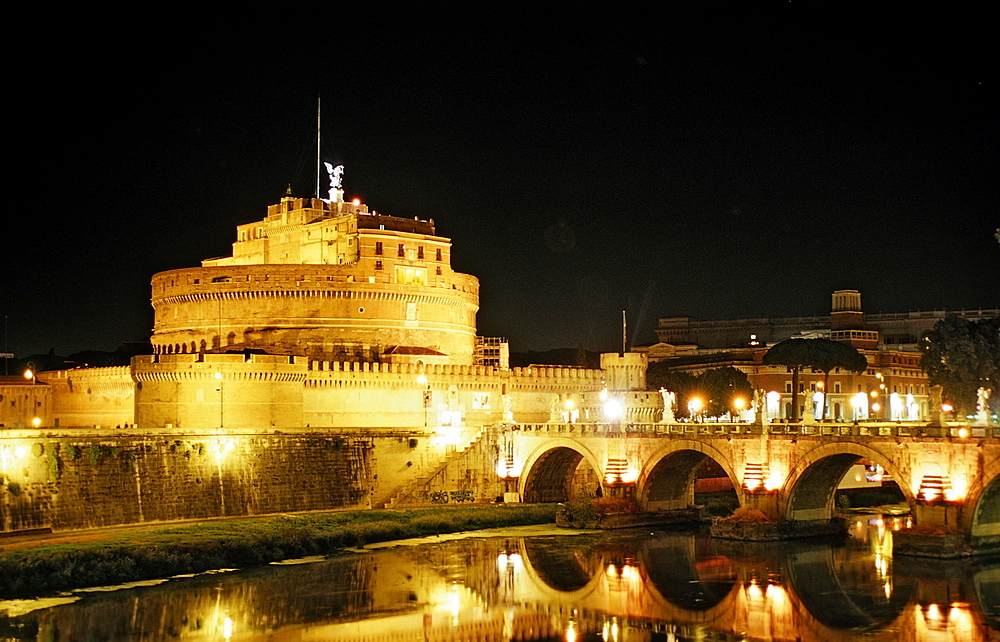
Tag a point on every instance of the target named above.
point(715, 159)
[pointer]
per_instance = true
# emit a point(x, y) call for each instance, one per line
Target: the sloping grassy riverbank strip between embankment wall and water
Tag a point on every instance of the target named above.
point(195, 548)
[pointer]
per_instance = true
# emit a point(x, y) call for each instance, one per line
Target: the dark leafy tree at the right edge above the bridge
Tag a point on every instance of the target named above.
point(961, 356)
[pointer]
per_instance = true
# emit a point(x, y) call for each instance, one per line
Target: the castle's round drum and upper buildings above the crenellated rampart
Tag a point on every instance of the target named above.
point(312, 279)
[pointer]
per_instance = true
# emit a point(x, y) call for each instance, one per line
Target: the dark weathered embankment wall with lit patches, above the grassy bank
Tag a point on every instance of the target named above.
point(84, 480)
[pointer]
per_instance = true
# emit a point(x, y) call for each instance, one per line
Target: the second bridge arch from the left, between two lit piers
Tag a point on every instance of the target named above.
point(666, 481)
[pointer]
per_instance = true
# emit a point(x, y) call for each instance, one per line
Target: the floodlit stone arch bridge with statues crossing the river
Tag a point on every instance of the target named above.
point(950, 476)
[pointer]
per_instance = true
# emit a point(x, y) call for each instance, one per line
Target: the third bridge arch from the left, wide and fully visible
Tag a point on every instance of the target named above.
point(811, 485)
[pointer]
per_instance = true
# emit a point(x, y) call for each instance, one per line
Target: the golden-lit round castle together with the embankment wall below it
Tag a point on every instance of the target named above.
point(331, 361)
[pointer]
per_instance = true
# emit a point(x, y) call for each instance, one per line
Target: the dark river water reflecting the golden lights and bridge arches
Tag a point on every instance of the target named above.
point(627, 586)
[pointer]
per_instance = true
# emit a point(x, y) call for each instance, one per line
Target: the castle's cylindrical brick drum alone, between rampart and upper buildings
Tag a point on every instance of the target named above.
point(322, 311)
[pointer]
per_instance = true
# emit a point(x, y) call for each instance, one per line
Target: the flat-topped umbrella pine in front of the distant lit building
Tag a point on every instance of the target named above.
point(819, 354)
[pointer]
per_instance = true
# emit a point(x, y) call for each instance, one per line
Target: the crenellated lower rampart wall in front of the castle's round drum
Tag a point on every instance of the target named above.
point(200, 391)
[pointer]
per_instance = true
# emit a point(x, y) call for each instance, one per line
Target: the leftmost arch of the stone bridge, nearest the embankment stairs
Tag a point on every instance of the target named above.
point(549, 470)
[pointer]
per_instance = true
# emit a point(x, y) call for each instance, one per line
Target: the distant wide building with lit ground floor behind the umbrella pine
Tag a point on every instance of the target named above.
point(894, 387)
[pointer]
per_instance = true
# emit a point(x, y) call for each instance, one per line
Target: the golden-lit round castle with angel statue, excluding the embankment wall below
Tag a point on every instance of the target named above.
point(329, 314)
